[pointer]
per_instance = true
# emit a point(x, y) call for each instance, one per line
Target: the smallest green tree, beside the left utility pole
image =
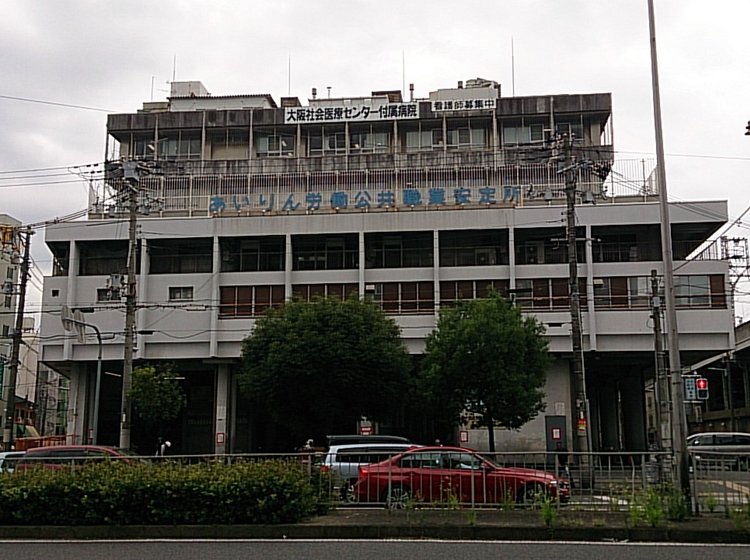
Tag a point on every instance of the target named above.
point(156, 396)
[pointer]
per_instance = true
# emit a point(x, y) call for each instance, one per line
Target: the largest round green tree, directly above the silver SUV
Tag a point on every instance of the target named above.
point(317, 367)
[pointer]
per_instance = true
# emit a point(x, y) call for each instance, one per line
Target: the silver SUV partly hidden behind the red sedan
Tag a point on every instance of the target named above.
point(347, 453)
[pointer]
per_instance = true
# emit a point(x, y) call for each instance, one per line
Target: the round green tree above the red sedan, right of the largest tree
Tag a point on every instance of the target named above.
point(485, 358)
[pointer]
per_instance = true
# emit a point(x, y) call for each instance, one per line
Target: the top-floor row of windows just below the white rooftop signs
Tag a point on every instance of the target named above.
point(334, 140)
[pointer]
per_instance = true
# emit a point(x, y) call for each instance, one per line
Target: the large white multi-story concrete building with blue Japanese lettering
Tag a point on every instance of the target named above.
point(416, 203)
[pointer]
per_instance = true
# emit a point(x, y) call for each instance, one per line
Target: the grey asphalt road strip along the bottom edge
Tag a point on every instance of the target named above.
point(362, 550)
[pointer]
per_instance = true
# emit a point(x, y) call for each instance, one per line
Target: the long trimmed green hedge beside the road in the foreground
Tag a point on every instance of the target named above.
point(112, 493)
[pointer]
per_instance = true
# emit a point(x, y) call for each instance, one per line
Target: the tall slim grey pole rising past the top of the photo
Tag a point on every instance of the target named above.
point(679, 428)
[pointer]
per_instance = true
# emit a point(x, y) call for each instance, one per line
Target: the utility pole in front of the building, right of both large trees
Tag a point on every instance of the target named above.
point(582, 428)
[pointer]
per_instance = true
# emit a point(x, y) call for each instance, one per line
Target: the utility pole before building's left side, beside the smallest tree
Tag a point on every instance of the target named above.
point(131, 181)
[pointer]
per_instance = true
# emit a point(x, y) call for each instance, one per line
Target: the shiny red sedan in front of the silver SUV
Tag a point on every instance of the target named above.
point(443, 474)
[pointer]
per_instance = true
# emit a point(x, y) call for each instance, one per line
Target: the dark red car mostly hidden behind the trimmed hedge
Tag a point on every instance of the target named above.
point(57, 457)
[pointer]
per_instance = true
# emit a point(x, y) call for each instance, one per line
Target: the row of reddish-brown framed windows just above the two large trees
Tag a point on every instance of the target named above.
point(539, 294)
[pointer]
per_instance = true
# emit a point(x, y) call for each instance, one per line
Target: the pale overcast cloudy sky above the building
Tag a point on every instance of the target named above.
point(66, 64)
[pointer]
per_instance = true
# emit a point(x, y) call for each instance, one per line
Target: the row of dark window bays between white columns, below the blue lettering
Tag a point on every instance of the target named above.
point(341, 252)
